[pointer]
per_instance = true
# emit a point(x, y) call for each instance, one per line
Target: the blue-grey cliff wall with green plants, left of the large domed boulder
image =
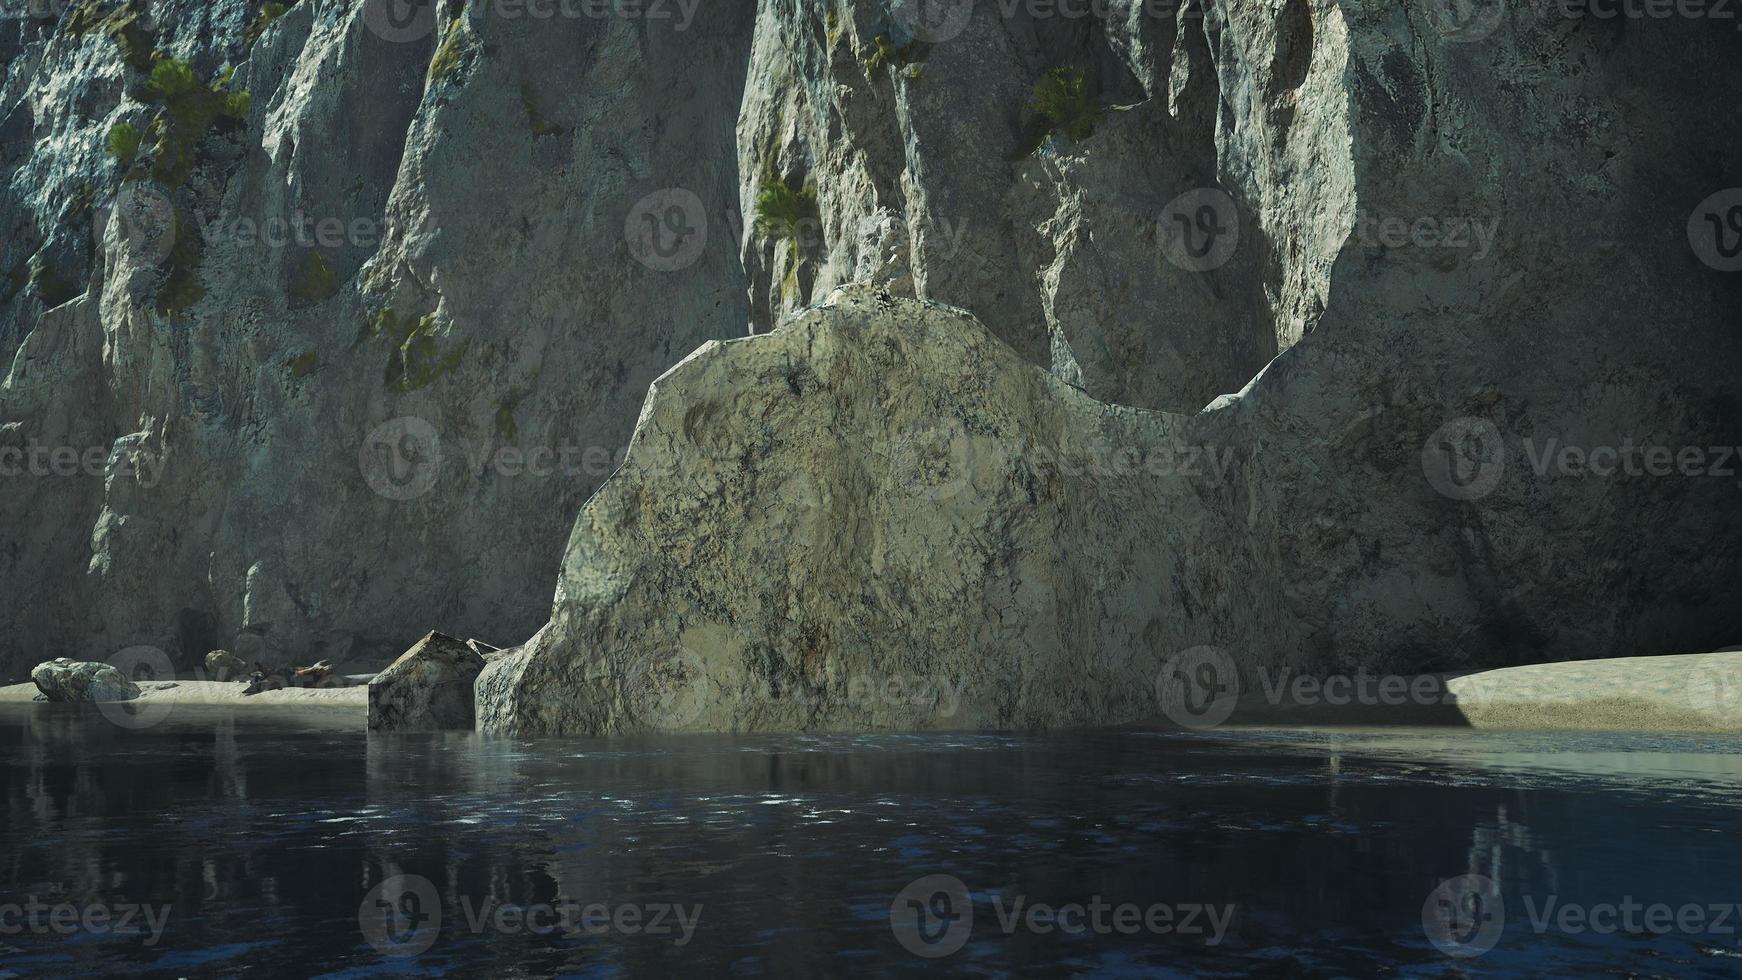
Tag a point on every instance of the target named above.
point(252, 500)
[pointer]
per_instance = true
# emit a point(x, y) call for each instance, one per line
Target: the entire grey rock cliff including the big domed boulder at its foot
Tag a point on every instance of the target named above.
point(1410, 257)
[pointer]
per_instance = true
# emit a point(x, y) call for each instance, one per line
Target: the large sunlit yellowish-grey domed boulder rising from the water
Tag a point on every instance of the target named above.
point(877, 516)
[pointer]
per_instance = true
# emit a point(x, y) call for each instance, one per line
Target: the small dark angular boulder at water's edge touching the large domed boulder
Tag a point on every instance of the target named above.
point(428, 688)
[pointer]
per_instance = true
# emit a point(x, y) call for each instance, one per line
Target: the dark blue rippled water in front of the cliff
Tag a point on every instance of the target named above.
point(260, 843)
